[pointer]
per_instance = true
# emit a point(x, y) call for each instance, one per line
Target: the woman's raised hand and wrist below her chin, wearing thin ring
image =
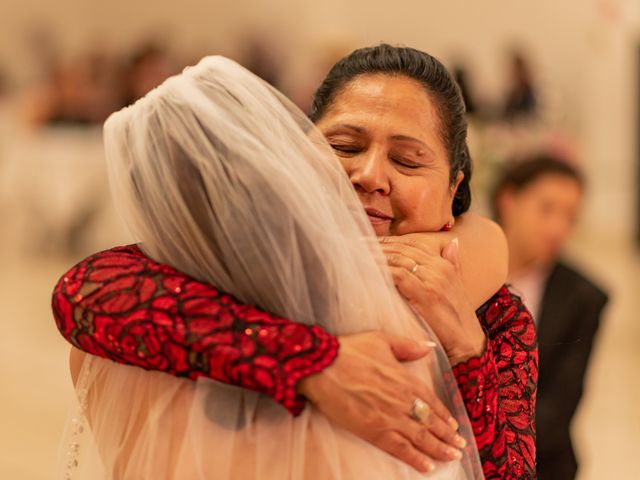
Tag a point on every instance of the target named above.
point(432, 284)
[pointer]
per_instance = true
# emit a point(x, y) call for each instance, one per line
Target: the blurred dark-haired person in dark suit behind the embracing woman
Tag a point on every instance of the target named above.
point(536, 201)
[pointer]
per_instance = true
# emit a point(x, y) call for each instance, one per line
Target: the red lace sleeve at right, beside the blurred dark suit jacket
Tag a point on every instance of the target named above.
point(499, 389)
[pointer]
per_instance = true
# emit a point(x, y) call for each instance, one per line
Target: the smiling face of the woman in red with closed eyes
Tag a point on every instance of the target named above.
point(385, 131)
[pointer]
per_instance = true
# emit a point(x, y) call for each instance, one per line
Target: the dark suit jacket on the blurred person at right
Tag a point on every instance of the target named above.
point(570, 314)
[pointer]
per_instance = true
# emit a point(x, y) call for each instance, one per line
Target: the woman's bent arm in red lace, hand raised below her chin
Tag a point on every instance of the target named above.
point(493, 353)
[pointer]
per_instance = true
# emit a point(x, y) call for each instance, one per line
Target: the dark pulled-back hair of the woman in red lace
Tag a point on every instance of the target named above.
point(439, 85)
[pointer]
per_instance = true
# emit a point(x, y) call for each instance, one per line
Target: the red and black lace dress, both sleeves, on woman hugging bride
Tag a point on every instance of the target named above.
point(123, 306)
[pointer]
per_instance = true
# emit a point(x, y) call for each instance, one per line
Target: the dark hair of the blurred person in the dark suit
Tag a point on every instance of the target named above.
point(519, 174)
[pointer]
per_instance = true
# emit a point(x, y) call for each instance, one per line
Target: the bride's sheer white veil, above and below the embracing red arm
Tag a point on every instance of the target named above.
point(219, 175)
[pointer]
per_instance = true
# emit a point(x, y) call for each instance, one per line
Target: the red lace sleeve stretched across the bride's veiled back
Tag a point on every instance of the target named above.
point(123, 306)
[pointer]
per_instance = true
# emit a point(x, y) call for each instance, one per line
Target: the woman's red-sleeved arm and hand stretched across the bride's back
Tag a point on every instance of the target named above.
point(123, 306)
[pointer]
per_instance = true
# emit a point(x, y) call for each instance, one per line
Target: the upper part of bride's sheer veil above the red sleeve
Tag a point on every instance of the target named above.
point(220, 176)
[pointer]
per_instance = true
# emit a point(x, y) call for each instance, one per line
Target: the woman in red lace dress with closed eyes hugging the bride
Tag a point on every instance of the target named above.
point(395, 118)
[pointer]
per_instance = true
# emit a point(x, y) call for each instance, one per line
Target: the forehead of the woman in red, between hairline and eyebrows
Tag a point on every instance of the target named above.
point(380, 100)
